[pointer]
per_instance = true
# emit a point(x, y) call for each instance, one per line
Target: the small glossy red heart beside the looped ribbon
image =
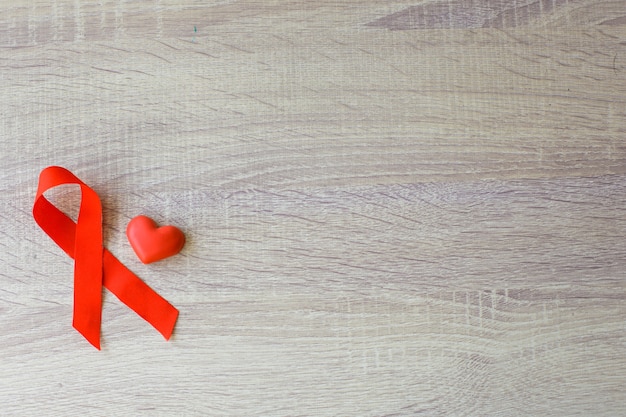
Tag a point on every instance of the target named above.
point(152, 243)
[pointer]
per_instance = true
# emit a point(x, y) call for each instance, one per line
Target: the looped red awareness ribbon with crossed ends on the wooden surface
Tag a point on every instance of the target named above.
point(95, 266)
